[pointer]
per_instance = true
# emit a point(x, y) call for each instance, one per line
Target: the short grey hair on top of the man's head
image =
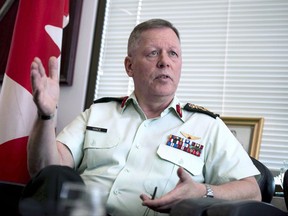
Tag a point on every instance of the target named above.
point(149, 24)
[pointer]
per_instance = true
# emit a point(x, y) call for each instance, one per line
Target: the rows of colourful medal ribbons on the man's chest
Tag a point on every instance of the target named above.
point(186, 145)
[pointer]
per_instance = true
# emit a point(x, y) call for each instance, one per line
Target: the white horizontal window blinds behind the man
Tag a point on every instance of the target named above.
point(235, 59)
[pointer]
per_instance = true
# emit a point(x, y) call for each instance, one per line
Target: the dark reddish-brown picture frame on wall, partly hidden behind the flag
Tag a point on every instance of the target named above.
point(69, 43)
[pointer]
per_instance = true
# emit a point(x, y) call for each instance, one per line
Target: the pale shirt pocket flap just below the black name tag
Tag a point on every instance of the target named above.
point(100, 140)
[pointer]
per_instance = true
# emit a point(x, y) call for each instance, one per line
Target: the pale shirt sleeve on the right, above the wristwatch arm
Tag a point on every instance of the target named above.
point(226, 158)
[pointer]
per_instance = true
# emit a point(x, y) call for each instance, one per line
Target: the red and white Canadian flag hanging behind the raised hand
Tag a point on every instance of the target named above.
point(37, 32)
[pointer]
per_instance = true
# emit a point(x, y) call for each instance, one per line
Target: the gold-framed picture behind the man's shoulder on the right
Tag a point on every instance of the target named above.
point(248, 130)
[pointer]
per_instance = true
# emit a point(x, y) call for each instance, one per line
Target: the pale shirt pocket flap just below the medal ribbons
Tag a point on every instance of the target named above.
point(190, 162)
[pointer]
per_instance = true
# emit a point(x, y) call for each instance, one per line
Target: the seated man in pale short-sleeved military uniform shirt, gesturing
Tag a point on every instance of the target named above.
point(147, 140)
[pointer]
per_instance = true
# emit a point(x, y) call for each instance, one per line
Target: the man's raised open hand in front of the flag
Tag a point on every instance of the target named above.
point(45, 89)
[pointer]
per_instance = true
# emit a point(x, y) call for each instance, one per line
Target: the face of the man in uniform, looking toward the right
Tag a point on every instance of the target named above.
point(155, 63)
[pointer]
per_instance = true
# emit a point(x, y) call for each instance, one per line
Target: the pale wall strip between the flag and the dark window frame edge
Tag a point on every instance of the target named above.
point(72, 98)
